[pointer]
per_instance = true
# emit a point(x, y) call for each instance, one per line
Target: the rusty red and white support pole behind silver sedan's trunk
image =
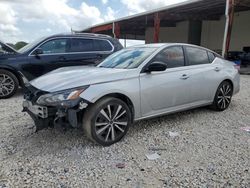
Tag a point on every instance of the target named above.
point(229, 13)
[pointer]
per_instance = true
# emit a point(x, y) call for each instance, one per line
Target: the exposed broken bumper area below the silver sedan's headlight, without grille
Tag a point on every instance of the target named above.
point(45, 116)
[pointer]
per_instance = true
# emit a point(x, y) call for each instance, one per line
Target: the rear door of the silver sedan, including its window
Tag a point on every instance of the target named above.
point(202, 74)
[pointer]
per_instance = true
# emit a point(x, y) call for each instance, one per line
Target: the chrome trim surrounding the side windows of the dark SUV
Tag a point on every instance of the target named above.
point(47, 40)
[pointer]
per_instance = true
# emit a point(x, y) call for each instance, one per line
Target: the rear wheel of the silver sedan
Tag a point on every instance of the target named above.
point(224, 95)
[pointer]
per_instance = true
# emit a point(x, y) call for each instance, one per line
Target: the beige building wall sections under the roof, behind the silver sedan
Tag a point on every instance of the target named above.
point(212, 33)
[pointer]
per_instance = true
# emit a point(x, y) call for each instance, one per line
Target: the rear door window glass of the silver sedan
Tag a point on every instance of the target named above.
point(197, 56)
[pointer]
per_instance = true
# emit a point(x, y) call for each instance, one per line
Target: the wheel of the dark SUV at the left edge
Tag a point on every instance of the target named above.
point(8, 84)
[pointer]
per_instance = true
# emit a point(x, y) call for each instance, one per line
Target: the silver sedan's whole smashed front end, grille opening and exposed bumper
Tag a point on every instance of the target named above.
point(66, 113)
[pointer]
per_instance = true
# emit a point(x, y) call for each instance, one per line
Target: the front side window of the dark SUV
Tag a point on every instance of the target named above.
point(54, 46)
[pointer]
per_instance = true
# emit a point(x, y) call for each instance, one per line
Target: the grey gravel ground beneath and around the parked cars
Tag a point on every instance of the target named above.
point(210, 151)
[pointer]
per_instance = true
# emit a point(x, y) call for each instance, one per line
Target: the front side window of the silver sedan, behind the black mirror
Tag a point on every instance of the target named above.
point(172, 56)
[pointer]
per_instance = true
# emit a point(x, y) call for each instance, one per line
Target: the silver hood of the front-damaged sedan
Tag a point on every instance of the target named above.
point(71, 77)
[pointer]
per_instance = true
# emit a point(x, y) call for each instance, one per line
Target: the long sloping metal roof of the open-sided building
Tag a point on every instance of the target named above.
point(133, 27)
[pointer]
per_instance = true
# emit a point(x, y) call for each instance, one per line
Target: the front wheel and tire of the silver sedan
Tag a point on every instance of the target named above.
point(107, 121)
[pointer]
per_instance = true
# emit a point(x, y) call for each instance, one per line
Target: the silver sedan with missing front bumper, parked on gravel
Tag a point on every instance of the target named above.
point(130, 85)
